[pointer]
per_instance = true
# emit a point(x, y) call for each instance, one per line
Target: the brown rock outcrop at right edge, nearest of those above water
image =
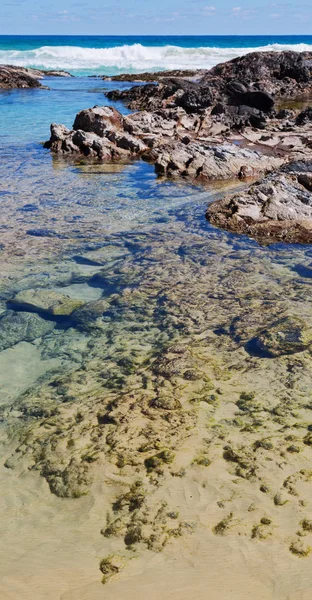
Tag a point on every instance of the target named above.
point(278, 207)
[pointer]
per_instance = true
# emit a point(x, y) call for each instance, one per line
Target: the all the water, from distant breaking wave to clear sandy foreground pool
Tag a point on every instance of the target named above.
point(142, 428)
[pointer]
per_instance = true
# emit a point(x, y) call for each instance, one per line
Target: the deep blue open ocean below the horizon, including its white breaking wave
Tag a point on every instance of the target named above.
point(110, 55)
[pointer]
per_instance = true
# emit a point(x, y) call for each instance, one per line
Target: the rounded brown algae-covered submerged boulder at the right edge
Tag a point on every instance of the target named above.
point(286, 336)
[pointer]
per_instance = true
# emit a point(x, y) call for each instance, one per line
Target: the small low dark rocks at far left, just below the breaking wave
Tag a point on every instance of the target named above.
point(22, 77)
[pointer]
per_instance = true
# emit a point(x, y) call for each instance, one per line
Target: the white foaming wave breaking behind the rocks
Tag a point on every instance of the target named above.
point(131, 58)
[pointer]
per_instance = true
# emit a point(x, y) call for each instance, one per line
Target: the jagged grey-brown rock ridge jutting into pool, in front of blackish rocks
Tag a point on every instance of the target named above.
point(177, 143)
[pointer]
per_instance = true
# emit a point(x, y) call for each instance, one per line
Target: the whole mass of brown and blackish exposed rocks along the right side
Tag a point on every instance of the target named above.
point(225, 125)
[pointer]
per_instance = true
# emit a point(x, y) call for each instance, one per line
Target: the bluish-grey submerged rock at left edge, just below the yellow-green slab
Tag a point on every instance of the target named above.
point(22, 327)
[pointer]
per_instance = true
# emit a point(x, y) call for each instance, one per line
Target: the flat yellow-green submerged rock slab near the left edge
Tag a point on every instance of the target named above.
point(46, 301)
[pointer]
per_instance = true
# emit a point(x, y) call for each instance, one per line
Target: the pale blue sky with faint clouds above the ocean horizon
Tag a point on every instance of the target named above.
point(155, 17)
